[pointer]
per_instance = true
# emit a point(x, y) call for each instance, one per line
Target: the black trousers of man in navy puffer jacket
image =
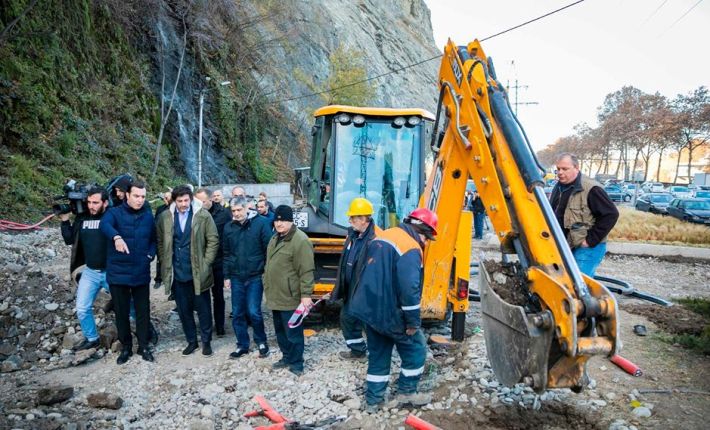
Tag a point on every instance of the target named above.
point(122, 295)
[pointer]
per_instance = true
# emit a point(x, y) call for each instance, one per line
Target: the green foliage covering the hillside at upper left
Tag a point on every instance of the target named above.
point(74, 103)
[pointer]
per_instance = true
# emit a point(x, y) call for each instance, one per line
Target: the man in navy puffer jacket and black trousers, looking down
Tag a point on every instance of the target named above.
point(130, 229)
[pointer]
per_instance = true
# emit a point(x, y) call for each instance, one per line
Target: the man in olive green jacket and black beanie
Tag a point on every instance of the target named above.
point(288, 282)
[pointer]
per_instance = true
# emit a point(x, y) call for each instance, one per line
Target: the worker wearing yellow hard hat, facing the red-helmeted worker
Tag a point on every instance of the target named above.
point(361, 232)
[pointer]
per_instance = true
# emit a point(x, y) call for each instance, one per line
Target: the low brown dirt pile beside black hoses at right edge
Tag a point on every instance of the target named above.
point(675, 319)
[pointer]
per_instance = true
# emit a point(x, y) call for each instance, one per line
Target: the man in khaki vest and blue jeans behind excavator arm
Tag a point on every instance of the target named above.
point(585, 213)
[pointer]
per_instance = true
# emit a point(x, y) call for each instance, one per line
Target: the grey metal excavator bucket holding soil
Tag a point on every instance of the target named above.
point(517, 349)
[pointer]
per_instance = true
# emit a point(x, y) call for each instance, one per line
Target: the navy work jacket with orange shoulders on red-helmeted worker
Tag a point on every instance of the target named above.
point(388, 294)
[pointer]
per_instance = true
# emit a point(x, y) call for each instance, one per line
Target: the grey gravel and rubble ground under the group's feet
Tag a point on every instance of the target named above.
point(204, 393)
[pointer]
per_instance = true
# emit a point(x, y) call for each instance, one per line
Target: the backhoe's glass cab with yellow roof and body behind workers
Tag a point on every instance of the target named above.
point(379, 154)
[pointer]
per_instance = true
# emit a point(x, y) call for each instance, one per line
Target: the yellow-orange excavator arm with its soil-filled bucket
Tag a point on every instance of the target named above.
point(567, 317)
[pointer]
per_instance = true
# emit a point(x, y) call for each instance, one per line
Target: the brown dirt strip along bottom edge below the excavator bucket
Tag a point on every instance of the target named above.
point(551, 416)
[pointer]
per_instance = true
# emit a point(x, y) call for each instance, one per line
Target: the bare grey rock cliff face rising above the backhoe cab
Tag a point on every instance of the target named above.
point(391, 34)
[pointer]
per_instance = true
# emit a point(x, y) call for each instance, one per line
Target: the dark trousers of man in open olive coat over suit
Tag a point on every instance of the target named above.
point(188, 302)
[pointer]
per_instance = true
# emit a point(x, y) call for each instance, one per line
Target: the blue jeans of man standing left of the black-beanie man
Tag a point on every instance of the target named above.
point(246, 303)
